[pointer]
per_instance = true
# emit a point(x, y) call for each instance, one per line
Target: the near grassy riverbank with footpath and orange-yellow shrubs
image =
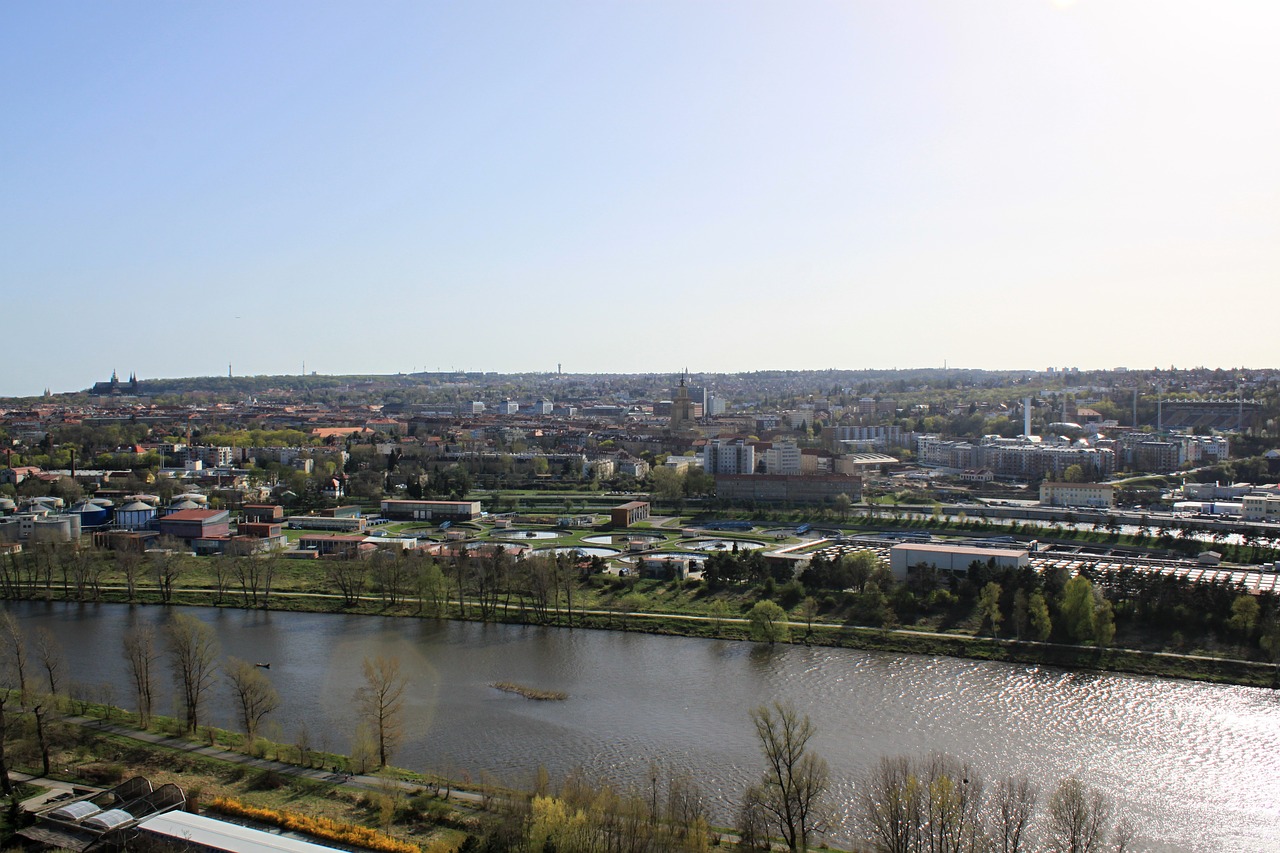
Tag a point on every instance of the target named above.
point(385, 810)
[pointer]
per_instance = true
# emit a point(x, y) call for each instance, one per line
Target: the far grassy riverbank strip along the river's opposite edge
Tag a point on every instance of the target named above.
point(1197, 668)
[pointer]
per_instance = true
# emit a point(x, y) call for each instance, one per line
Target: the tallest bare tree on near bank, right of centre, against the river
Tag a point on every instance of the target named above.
point(796, 781)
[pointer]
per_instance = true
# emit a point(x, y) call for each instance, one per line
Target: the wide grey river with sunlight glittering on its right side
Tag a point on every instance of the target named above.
point(1196, 767)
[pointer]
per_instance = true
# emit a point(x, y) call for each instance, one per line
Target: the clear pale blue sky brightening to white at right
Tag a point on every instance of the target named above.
point(636, 186)
